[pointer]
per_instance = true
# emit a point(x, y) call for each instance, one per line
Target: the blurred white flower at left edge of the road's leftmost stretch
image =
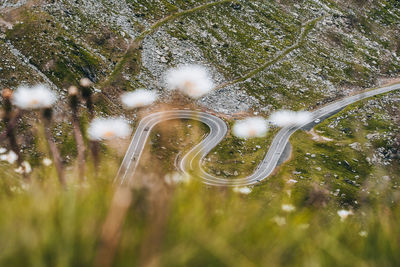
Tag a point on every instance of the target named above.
point(108, 128)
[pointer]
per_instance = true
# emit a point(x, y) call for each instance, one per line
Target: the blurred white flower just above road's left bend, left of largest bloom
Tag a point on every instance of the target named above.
point(138, 98)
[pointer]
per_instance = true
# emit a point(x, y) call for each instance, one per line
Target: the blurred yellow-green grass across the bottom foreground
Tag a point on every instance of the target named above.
point(188, 225)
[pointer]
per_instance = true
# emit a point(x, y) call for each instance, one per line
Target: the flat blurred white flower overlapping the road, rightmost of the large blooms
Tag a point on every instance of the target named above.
point(284, 118)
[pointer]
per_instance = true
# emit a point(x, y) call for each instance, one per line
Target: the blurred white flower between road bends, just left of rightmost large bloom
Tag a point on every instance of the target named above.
point(250, 127)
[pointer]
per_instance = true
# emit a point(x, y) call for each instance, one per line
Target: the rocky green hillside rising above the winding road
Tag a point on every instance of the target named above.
point(263, 55)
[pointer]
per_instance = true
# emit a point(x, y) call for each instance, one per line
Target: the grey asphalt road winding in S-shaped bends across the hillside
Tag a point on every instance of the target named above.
point(191, 163)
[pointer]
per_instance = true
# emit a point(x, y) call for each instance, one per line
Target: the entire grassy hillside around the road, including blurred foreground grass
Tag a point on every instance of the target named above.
point(263, 56)
